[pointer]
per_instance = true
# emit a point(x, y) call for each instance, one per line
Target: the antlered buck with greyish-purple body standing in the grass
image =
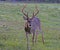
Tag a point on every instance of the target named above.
point(32, 25)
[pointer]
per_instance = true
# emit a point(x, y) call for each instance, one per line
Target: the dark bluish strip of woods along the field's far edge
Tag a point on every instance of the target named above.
point(38, 1)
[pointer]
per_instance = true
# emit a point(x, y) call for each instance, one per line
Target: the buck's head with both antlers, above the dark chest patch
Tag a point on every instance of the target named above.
point(26, 17)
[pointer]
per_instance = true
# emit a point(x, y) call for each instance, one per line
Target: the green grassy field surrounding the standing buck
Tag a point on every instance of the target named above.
point(12, 35)
